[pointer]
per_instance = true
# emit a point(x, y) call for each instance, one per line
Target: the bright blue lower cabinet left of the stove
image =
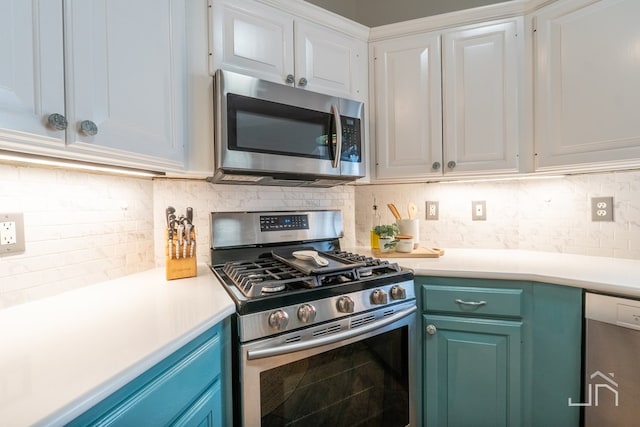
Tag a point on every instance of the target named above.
point(185, 389)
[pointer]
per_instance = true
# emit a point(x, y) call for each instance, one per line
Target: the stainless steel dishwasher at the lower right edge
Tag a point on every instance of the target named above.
point(612, 363)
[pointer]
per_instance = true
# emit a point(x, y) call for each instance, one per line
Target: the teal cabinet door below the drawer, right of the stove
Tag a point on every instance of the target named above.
point(472, 372)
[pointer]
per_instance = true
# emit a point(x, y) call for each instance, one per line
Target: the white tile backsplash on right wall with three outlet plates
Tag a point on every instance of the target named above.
point(548, 215)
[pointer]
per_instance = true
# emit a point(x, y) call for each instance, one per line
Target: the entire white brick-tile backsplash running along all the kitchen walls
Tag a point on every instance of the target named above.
point(83, 228)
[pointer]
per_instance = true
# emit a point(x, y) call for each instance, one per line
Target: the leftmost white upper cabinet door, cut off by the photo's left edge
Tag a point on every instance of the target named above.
point(31, 73)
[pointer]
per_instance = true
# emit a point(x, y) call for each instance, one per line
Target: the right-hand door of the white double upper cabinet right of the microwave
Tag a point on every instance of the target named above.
point(481, 98)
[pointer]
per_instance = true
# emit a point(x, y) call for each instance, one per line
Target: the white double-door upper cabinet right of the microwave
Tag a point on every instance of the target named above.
point(471, 126)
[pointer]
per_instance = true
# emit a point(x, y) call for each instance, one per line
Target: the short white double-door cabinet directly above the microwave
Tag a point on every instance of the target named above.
point(262, 41)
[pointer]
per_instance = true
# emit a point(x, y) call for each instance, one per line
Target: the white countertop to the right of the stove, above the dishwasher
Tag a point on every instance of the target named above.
point(610, 275)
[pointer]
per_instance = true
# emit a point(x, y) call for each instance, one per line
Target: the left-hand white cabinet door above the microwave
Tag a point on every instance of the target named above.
point(254, 39)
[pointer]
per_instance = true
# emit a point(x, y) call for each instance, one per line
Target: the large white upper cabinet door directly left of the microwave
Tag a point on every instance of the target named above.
point(125, 74)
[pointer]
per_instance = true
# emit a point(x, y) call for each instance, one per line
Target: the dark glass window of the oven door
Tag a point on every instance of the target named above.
point(364, 383)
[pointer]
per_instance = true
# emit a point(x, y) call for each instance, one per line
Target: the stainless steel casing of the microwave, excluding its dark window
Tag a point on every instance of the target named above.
point(276, 169)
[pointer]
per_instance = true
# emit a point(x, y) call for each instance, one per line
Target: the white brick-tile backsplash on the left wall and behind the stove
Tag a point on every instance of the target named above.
point(83, 228)
